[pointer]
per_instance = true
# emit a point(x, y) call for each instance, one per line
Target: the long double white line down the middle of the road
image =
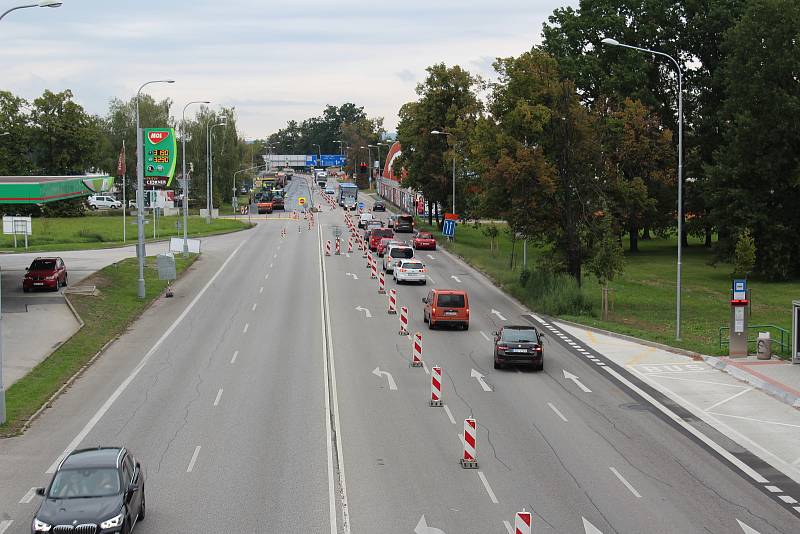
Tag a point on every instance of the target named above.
point(328, 359)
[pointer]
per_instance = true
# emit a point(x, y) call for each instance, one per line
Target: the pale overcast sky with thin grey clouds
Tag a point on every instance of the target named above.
point(272, 61)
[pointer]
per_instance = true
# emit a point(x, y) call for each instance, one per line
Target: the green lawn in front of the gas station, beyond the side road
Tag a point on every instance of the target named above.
point(103, 231)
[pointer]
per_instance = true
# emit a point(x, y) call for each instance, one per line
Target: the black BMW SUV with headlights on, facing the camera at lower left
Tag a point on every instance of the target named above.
point(94, 491)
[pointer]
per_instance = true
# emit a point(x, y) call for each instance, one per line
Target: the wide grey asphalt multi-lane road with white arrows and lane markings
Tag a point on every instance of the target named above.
point(274, 395)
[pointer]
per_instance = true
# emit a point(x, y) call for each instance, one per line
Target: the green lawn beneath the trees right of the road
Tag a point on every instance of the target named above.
point(645, 294)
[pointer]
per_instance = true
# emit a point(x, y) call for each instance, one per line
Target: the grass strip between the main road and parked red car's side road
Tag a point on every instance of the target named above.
point(106, 316)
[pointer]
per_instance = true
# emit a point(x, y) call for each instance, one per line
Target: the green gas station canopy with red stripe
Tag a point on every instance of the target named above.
point(43, 189)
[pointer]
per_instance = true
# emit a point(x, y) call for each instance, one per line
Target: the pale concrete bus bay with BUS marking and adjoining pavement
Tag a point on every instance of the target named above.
point(712, 390)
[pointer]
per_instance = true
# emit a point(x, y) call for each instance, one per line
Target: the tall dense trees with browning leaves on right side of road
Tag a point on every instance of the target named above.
point(573, 143)
